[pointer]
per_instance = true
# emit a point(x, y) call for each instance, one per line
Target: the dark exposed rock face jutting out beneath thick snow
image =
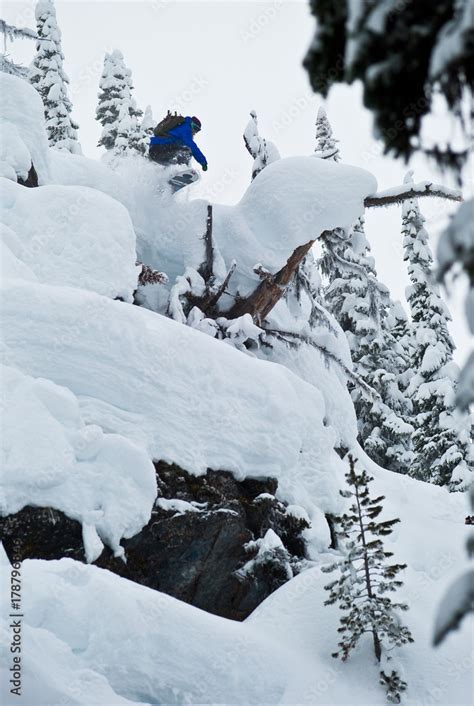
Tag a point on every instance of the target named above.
point(194, 547)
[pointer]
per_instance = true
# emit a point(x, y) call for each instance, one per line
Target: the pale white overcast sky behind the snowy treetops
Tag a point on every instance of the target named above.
point(218, 60)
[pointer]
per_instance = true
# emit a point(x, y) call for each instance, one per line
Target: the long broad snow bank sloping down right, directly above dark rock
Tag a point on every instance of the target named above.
point(216, 408)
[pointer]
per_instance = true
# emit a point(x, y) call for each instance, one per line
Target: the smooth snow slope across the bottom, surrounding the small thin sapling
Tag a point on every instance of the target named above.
point(280, 654)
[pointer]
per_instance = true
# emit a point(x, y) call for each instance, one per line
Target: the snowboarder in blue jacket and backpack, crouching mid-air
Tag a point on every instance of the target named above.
point(173, 143)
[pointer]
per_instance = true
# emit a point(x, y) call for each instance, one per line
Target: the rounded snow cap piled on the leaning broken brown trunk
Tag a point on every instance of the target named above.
point(289, 203)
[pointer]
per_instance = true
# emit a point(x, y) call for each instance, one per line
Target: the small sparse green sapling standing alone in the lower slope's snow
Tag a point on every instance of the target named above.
point(365, 579)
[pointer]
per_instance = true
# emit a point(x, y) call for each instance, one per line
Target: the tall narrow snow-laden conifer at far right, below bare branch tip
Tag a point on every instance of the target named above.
point(441, 441)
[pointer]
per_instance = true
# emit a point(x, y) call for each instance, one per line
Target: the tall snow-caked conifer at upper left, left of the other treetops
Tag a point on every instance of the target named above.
point(47, 75)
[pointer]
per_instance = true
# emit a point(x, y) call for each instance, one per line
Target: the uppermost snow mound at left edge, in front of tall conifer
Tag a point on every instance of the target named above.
point(23, 134)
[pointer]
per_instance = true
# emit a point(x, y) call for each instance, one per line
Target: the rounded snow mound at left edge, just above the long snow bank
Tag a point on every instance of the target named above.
point(72, 236)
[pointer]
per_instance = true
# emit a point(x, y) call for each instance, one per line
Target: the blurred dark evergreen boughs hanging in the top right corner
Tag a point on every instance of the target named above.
point(370, 35)
